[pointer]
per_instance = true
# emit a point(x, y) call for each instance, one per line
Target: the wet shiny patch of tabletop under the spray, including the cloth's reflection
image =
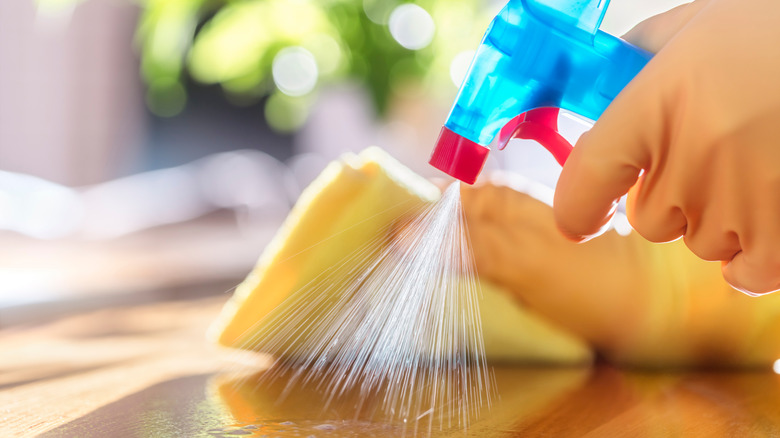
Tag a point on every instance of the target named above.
point(225, 406)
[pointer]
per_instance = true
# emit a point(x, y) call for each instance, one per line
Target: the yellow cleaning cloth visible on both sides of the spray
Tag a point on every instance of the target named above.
point(354, 201)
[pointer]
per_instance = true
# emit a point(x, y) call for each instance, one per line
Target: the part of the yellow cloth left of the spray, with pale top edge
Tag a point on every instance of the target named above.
point(353, 201)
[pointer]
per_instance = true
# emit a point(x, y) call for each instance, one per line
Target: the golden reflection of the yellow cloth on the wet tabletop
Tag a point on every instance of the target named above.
point(521, 392)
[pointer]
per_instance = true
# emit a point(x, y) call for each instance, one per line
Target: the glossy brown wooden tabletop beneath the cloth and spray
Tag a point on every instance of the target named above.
point(145, 370)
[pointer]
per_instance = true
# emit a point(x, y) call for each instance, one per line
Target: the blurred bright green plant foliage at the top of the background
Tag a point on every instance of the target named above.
point(287, 49)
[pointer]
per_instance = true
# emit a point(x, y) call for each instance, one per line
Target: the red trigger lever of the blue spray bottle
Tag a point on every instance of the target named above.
point(541, 125)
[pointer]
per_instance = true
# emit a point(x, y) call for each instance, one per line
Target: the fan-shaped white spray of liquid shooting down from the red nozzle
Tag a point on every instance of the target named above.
point(398, 323)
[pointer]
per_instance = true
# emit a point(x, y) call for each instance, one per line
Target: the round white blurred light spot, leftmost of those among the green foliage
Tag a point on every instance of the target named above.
point(295, 71)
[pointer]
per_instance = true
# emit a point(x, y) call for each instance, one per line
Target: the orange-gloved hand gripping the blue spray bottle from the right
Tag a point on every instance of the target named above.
point(694, 140)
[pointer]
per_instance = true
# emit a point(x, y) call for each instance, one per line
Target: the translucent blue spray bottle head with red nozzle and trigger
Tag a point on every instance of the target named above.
point(537, 57)
